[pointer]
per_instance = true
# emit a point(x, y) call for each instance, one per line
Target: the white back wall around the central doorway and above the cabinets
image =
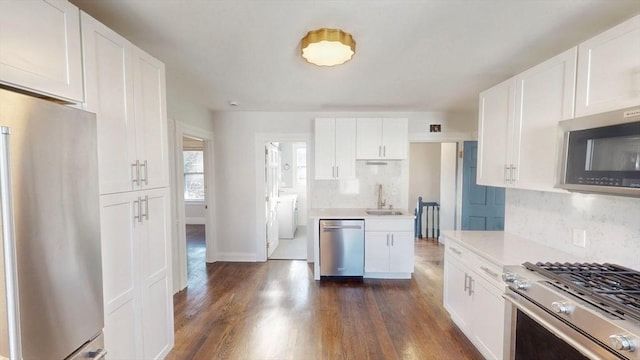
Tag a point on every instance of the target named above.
point(235, 172)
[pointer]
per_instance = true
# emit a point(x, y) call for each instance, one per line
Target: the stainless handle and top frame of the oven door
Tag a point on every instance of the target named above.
point(516, 301)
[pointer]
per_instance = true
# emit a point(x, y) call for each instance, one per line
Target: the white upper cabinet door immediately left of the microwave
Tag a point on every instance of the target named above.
point(545, 95)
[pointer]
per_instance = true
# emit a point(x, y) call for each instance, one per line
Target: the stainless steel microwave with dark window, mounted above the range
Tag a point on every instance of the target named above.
point(601, 153)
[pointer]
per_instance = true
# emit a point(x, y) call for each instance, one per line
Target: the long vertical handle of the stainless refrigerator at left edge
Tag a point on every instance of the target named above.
point(9, 247)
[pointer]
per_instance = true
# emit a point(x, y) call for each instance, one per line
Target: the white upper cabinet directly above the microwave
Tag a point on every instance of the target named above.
point(609, 70)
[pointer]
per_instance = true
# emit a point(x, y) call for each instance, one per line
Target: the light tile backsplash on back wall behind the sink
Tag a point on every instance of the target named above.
point(362, 192)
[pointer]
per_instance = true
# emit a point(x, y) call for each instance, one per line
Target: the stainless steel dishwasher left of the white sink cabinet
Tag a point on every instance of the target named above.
point(341, 247)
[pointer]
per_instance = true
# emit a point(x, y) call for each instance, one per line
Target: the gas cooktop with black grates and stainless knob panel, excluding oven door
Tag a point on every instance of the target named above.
point(599, 301)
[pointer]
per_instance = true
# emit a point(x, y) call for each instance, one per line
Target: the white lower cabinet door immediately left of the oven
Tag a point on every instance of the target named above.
point(489, 319)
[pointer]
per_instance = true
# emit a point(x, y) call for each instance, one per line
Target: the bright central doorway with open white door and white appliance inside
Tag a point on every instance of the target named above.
point(285, 200)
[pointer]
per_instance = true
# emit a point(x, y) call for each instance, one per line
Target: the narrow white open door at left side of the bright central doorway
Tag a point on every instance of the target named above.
point(272, 189)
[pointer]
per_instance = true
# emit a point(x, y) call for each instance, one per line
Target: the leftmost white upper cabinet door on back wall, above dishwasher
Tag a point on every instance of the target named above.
point(325, 146)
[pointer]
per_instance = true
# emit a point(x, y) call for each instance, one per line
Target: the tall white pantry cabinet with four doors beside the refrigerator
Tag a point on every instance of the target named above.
point(125, 87)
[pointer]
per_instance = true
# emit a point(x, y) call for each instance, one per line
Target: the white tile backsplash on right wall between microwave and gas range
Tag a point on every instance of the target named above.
point(612, 223)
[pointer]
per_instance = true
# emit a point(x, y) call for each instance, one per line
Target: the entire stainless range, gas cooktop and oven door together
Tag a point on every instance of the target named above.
point(556, 314)
